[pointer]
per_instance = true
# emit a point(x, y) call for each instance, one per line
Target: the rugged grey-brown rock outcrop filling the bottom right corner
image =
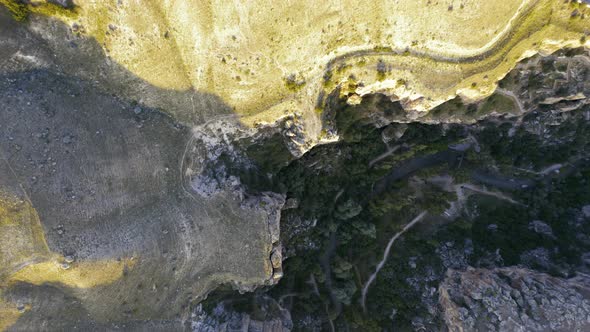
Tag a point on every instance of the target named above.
point(514, 299)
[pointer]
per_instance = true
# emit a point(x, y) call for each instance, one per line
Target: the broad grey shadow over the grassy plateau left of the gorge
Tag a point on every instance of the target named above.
point(103, 172)
